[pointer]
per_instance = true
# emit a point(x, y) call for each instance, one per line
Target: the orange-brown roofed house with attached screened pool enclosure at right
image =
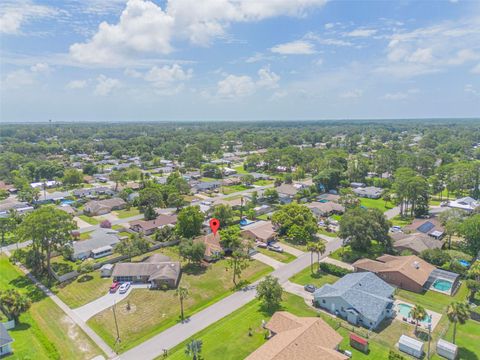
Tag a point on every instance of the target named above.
point(407, 272)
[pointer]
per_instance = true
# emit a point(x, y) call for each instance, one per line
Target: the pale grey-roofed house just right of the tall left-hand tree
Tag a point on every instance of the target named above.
point(100, 244)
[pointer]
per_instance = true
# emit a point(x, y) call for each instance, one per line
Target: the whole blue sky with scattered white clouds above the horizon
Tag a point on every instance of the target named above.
point(136, 60)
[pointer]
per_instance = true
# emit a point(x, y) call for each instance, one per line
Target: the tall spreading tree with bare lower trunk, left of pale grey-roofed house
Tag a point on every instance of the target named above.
point(49, 229)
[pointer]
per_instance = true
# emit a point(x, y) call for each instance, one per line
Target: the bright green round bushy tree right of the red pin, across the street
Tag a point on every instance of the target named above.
point(295, 222)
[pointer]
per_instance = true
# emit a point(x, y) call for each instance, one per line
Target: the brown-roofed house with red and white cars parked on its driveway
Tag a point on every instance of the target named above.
point(158, 270)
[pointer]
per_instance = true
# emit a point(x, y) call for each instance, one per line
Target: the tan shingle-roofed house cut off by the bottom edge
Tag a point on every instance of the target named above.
point(299, 338)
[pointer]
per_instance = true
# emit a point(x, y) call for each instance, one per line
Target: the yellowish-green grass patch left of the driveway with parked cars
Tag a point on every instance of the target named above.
point(83, 290)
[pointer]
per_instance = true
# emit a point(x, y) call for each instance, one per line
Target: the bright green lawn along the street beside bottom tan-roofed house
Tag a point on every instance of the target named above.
point(233, 330)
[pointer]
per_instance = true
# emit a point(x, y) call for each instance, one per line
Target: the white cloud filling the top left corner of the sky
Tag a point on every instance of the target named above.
point(13, 15)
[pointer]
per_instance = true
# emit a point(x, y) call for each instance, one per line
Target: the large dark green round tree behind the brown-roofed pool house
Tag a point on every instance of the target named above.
point(359, 227)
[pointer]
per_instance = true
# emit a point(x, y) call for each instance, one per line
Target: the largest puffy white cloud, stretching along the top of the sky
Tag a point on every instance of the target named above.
point(144, 27)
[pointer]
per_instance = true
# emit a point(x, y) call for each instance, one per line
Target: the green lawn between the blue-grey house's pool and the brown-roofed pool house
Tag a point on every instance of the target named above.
point(433, 300)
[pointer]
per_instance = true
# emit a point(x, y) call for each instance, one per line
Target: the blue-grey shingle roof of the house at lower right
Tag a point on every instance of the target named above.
point(365, 292)
